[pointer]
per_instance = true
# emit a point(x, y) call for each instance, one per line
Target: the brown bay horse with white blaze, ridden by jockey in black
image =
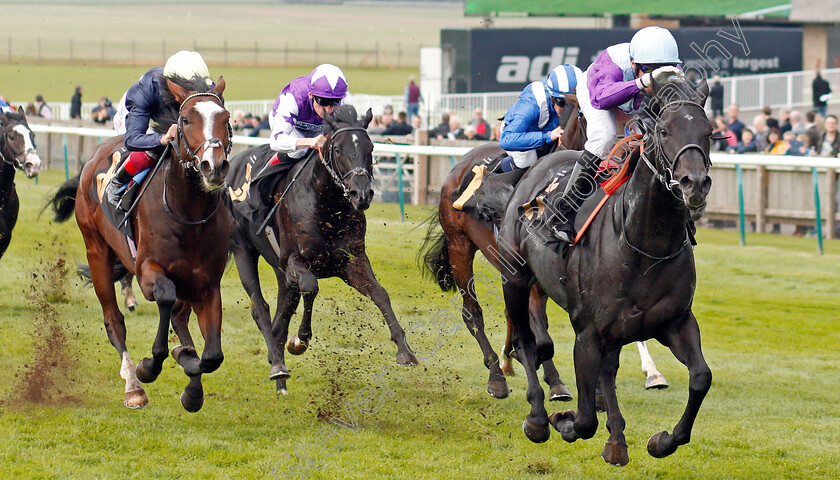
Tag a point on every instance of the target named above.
point(182, 239)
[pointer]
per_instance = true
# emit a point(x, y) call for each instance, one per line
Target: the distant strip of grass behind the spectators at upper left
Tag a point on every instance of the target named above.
point(56, 82)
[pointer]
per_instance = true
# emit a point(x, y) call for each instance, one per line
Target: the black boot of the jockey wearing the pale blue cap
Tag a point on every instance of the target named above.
point(580, 186)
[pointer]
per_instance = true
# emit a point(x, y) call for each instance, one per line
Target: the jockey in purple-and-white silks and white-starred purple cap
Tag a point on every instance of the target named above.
point(297, 116)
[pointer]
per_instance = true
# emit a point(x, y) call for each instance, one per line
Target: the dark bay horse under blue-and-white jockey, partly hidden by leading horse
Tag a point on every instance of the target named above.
point(449, 254)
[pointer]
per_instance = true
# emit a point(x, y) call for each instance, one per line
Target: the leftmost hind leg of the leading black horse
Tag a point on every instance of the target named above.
point(535, 425)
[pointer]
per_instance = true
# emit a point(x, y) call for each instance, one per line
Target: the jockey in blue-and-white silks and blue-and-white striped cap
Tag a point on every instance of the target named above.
point(534, 120)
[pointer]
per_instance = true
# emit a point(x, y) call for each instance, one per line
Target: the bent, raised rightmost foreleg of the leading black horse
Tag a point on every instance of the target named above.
point(684, 342)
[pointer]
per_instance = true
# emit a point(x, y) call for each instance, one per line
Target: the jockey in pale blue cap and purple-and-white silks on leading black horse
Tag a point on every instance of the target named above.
point(616, 82)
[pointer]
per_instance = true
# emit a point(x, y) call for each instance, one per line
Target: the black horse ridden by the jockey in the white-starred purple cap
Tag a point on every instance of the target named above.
point(316, 231)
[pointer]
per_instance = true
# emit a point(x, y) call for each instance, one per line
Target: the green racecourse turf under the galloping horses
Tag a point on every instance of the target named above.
point(768, 316)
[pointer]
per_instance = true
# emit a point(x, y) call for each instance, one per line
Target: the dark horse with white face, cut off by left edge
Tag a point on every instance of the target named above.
point(17, 152)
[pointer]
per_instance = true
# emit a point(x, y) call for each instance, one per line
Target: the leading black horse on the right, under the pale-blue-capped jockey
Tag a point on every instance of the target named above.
point(631, 278)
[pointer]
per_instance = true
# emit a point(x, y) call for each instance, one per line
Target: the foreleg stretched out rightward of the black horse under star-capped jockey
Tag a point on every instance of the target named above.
point(359, 275)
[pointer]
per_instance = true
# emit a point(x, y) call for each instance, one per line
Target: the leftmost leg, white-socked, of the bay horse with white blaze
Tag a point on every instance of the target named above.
point(101, 261)
